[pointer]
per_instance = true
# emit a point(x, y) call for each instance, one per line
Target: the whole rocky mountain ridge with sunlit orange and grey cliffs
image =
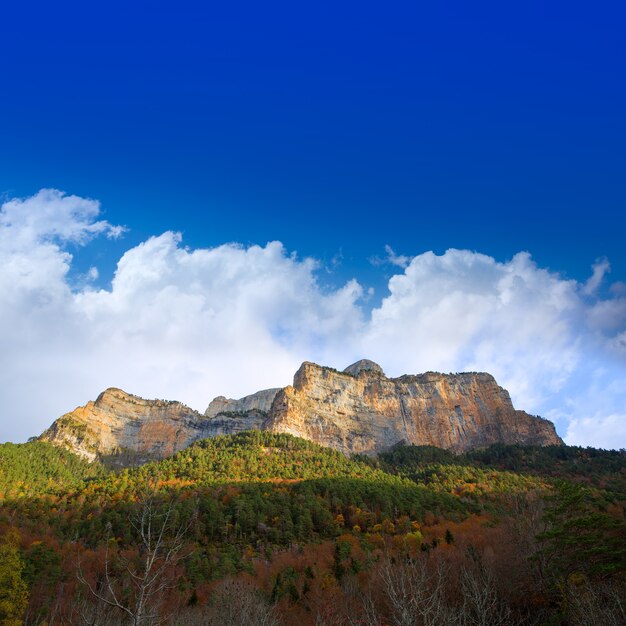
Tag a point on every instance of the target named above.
point(358, 410)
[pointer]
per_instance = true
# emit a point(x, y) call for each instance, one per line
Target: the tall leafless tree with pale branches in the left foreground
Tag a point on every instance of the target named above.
point(137, 592)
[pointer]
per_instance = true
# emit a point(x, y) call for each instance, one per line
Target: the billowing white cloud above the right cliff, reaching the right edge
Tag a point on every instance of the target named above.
point(559, 351)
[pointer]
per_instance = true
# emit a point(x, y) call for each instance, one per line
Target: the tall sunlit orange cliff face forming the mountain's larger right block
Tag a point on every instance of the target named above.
point(361, 410)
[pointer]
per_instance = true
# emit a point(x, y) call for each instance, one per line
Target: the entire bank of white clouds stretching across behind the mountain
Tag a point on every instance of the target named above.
point(191, 324)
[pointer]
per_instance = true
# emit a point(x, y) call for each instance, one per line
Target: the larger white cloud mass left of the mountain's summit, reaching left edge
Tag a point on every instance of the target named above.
point(176, 323)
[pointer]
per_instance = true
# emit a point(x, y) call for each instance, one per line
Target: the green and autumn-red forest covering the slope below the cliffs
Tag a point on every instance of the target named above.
point(266, 529)
